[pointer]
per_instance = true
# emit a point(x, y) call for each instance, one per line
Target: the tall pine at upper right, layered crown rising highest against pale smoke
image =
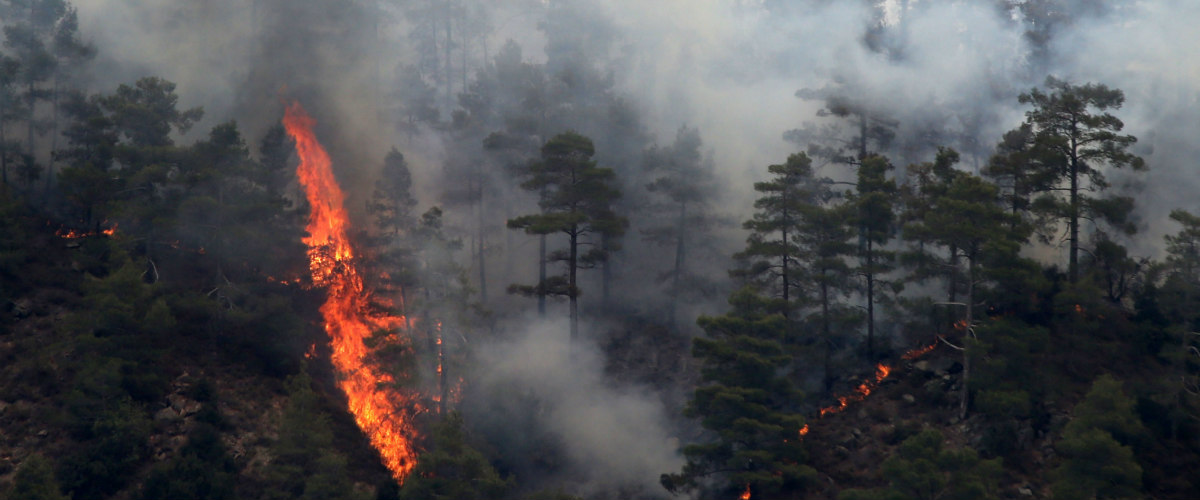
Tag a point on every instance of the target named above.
point(1075, 140)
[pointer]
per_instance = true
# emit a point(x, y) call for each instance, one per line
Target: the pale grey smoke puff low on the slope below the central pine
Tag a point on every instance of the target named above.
point(561, 421)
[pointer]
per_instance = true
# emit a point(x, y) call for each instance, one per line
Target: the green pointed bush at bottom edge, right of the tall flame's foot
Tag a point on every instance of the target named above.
point(452, 469)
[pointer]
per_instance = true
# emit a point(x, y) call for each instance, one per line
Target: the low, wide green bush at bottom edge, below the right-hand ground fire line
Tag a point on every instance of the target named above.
point(925, 469)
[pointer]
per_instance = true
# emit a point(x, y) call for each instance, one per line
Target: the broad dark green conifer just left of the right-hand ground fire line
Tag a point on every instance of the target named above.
point(751, 407)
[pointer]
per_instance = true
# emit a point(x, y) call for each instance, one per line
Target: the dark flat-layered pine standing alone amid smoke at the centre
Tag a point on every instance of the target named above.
point(577, 201)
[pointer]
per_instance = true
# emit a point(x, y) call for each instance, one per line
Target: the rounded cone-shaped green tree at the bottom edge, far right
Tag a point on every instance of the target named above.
point(1097, 448)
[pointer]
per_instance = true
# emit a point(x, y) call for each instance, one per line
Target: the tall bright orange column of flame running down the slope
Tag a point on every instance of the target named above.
point(382, 412)
